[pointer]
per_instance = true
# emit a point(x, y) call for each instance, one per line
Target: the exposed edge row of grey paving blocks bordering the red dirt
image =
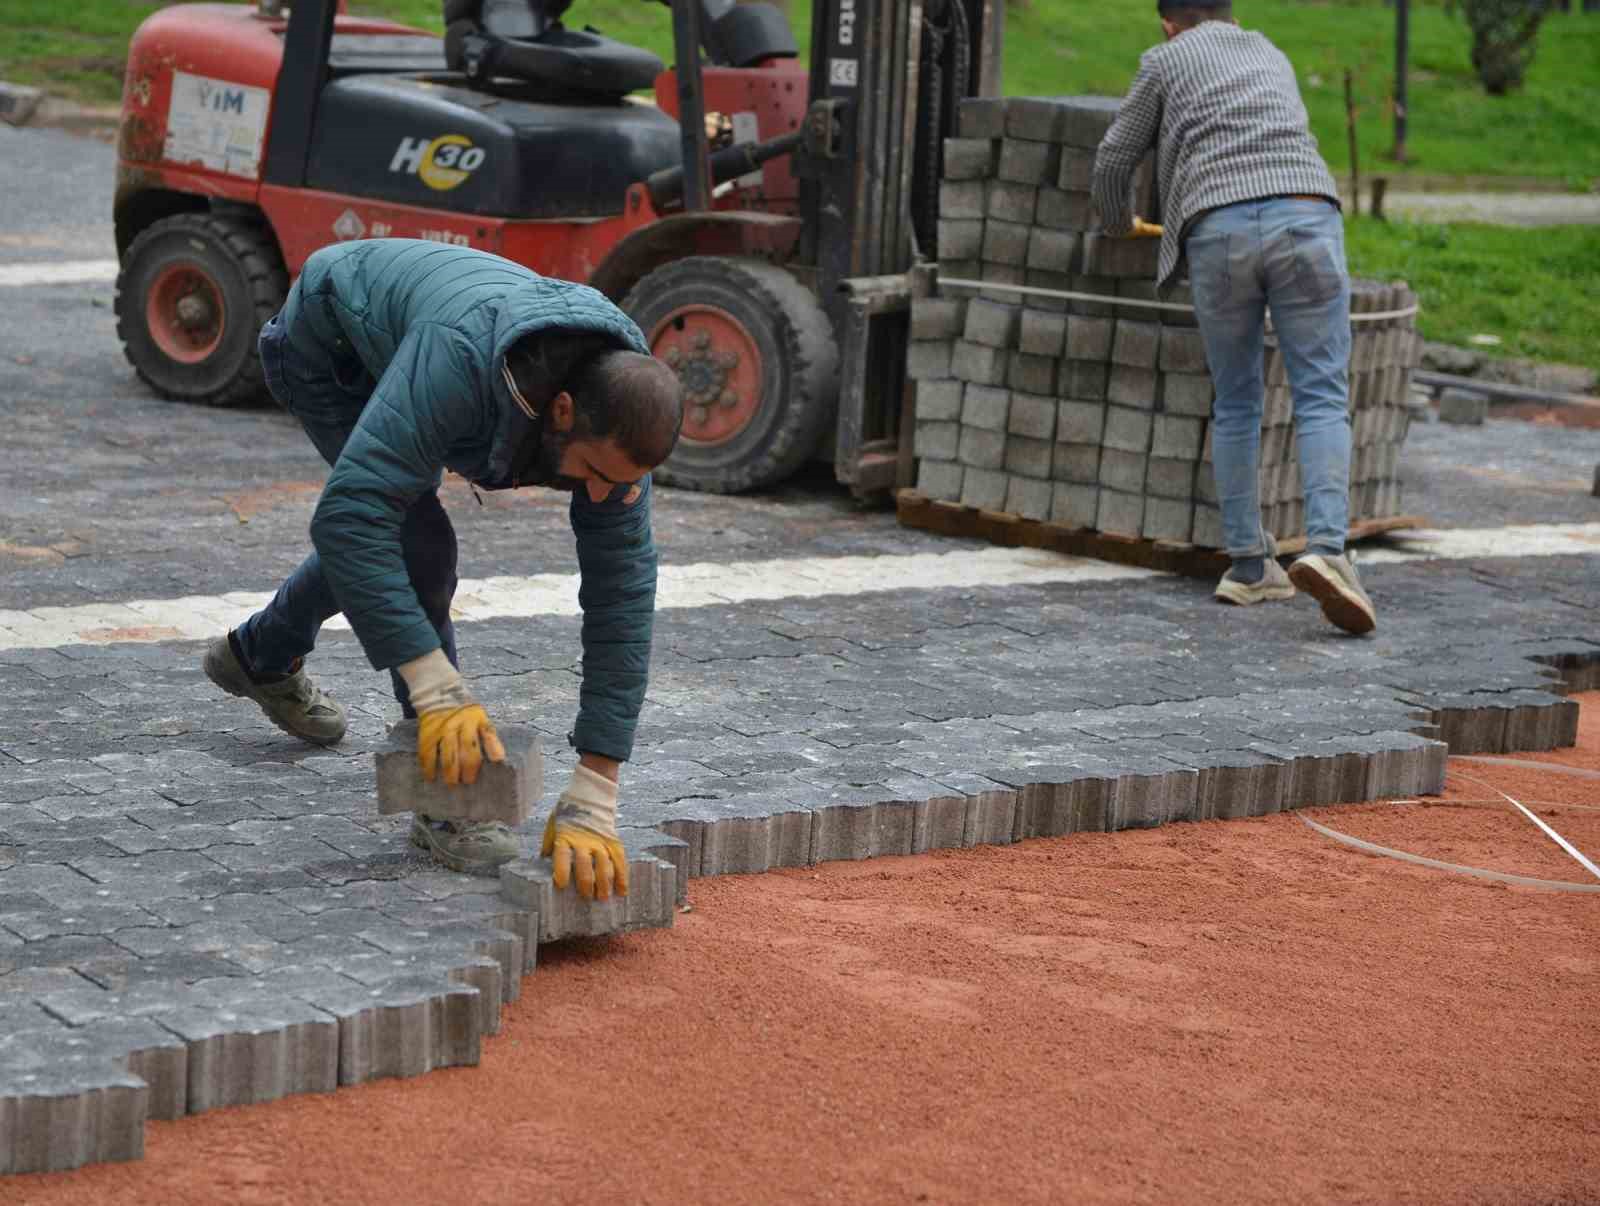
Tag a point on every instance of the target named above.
point(84, 1096)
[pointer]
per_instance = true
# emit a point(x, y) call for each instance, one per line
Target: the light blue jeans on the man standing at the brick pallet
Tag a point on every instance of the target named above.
point(1289, 257)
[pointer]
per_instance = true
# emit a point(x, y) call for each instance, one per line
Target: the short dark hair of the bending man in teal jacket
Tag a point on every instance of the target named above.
point(631, 399)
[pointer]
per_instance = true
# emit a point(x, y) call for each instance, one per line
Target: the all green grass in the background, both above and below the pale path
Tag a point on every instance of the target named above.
point(1532, 289)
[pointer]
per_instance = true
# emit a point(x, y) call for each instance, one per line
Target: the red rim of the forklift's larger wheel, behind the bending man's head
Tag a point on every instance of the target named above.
point(721, 369)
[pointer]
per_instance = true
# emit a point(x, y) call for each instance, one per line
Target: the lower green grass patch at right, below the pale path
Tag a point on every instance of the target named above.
point(1537, 290)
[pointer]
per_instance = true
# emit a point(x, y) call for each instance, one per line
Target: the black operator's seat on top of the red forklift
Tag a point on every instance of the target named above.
point(526, 41)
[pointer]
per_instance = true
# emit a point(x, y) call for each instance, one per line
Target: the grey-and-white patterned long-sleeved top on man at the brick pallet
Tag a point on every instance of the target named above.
point(1225, 114)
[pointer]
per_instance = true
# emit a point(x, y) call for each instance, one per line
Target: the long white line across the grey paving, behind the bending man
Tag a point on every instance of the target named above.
point(721, 583)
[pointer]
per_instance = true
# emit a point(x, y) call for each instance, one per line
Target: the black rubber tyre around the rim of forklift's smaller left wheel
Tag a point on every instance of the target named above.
point(257, 252)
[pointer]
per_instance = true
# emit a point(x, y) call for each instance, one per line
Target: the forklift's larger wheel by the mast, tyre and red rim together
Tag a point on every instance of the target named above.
point(759, 367)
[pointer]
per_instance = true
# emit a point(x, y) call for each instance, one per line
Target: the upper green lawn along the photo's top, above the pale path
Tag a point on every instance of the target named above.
point(1551, 129)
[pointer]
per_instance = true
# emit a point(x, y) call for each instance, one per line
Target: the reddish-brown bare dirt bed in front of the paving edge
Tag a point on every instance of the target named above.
point(1228, 1012)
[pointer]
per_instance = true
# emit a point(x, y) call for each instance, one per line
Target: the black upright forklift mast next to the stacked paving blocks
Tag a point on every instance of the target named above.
point(887, 84)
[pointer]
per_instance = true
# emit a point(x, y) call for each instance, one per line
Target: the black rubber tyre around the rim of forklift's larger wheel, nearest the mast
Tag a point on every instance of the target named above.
point(814, 359)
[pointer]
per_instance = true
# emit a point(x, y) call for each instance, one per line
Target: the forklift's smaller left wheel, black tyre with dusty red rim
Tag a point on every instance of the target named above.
point(193, 297)
